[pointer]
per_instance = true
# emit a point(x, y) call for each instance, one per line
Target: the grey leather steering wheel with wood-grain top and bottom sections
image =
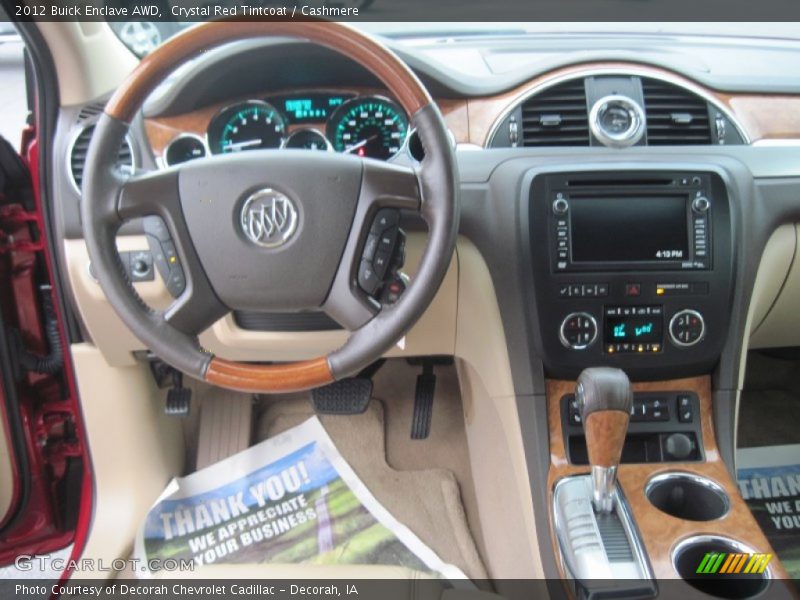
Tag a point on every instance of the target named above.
point(314, 208)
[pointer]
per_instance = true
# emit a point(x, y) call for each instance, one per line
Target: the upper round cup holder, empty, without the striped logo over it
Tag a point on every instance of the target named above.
point(687, 496)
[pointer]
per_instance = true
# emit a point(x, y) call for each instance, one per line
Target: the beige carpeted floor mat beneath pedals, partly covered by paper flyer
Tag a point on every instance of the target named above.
point(427, 501)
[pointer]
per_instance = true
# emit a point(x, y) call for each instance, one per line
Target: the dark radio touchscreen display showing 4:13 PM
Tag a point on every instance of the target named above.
point(629, 229)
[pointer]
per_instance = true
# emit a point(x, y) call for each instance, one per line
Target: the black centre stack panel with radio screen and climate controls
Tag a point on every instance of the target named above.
point(638, 272)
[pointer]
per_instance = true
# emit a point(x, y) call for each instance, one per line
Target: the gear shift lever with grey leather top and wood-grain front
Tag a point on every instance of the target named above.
point(605, 399)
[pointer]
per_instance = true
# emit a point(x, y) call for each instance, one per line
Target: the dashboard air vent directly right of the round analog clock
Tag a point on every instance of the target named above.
point(675, 116)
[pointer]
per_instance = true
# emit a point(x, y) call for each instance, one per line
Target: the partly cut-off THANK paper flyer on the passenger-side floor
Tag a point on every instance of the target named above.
point(769, 481)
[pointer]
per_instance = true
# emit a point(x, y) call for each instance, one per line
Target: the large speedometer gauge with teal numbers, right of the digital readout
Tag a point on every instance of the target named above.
point(368, 126)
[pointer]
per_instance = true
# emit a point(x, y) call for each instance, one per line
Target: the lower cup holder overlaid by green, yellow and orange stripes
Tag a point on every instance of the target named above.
point(689, 555)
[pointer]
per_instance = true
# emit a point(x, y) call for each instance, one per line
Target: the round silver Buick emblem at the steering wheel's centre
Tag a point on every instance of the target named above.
point(268, 218)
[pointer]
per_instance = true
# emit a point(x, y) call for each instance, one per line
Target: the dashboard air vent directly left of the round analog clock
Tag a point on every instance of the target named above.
point(556, 116)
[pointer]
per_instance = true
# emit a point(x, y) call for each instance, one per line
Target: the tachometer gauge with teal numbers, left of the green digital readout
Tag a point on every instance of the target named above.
point(253, 125)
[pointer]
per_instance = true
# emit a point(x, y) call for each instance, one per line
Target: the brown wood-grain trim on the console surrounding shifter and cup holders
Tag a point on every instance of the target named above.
point(661, 532)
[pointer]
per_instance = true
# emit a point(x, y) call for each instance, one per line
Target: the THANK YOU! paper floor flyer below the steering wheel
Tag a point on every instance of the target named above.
point(289, 499)
